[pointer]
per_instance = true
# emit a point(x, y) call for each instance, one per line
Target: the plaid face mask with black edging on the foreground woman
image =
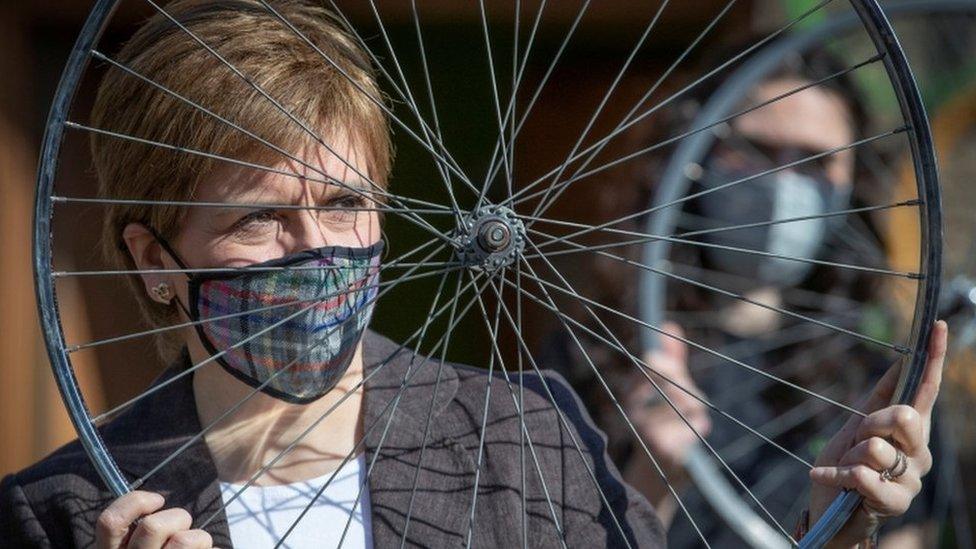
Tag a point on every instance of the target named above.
point(289, 326)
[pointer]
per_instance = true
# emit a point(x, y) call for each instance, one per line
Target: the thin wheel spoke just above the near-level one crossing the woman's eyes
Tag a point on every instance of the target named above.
point(405, 212)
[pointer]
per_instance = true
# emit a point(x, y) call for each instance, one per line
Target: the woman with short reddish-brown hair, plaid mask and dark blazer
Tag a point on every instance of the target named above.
point(353, 376)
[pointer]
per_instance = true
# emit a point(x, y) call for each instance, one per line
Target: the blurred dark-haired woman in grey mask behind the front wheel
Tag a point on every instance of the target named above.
point(793, 126)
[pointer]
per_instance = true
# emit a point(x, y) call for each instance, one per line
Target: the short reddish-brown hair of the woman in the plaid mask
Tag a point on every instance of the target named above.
point(269, 53)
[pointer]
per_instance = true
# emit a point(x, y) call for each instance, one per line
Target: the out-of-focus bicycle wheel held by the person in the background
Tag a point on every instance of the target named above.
point(923, 24)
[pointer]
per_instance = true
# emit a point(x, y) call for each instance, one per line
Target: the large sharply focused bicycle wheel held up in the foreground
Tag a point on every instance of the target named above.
point(505, 234)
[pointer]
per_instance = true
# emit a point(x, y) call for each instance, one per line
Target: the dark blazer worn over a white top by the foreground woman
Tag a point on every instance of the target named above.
point(55, 503)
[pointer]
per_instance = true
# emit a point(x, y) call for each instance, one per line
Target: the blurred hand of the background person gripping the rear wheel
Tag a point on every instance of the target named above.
point(665, 432)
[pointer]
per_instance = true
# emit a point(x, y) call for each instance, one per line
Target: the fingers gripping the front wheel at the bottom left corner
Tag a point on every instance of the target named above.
point(169, 528)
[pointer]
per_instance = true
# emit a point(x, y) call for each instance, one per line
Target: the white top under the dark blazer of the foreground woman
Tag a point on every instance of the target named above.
point(261, 515)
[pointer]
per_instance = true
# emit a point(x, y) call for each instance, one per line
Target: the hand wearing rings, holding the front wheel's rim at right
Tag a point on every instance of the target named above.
point(856, 457)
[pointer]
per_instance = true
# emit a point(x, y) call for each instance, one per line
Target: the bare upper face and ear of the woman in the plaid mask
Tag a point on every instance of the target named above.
point(234, 236)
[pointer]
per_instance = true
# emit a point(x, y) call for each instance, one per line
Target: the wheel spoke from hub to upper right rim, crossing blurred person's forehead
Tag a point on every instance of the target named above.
point(577, 176)
